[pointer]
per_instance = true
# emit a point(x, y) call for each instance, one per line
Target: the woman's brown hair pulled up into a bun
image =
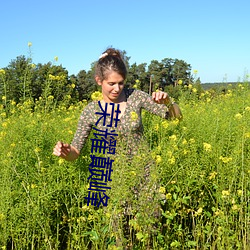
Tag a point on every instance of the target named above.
point(110, 60)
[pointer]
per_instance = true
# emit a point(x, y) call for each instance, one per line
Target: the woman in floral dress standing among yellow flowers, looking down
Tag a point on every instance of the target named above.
point(110, 74)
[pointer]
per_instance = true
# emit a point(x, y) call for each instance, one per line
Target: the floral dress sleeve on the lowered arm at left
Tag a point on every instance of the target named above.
point(84, 127)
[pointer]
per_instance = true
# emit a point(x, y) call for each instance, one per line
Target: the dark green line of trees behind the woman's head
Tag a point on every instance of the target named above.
point(22, 79)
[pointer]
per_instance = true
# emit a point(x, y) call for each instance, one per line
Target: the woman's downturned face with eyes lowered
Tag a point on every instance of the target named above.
point(112, 86)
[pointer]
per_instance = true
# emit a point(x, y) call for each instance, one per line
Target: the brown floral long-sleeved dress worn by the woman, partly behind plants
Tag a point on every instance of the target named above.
point(141, 191)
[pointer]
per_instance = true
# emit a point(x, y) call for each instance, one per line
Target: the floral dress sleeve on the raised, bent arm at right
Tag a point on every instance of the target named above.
point(151, 106)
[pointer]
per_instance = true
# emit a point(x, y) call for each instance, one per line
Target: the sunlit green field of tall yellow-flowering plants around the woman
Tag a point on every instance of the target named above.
point(201, 164)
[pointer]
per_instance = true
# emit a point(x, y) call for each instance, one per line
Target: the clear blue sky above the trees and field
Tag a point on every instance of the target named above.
point(212, 36)
